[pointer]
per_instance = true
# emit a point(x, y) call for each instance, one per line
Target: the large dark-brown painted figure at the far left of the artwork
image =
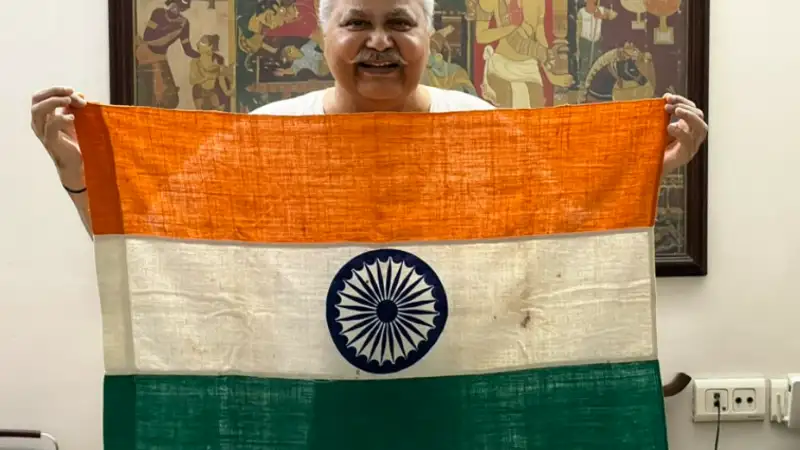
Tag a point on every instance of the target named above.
point(155, 83)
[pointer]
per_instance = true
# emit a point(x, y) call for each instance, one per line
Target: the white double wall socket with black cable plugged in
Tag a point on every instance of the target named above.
point(740, 399)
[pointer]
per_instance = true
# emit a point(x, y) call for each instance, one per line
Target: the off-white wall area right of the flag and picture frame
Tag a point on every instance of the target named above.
point(739, 319)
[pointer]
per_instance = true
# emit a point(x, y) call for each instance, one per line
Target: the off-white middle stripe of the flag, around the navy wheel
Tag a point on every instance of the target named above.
point(203, 307)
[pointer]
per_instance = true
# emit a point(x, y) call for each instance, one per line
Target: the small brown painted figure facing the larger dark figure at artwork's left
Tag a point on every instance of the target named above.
point(211, 80)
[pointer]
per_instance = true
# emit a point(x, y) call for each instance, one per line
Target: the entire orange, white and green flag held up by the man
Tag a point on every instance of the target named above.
point(466, 281)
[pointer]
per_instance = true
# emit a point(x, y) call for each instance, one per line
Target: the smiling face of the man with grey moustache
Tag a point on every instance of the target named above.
point(377, 49)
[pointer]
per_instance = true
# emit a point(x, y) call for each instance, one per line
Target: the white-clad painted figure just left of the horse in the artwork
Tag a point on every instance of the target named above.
point(590, 33)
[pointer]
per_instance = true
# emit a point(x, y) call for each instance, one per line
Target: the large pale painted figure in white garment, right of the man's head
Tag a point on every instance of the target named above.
point(517, 53)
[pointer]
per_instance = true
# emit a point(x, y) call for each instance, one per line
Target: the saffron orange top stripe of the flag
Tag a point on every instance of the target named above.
point(372, 178)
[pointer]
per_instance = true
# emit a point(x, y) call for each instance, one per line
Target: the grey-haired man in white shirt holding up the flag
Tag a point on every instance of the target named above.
point(377, 51)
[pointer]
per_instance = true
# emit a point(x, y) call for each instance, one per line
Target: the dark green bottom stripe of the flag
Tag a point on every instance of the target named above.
point(599, 407)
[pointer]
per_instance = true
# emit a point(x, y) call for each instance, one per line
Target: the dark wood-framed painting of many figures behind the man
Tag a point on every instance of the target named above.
point(250, 31)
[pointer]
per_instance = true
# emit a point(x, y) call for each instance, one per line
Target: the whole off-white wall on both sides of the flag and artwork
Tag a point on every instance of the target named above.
point(738, 320)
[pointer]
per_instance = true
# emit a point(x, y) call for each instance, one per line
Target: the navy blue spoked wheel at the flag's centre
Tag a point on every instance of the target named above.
point(386, 309)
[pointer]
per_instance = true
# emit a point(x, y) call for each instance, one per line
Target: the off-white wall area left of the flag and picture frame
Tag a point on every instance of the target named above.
point(50, 333)
